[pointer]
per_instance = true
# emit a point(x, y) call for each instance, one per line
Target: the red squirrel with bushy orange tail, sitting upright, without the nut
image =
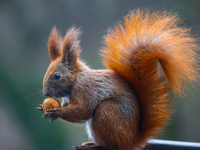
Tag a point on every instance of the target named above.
point(147, 56)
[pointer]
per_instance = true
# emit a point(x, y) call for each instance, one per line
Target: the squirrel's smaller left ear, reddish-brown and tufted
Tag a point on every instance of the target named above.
point(54, 44)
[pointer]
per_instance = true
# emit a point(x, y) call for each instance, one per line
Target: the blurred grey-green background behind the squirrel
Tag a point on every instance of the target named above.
point(24, 28)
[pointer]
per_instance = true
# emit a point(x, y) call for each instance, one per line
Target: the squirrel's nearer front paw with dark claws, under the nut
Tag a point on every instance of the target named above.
point(52, 113)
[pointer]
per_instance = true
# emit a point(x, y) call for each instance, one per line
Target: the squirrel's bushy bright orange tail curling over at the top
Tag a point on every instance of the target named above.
point(138, 49)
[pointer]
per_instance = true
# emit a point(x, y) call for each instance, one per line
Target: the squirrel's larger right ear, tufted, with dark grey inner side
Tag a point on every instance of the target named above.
point(70, 47)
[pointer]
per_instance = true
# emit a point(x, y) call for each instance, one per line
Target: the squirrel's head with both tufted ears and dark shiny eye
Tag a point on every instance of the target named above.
point(64, 66)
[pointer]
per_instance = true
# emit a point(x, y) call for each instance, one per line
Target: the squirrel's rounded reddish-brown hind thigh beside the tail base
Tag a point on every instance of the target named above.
point(114, 124)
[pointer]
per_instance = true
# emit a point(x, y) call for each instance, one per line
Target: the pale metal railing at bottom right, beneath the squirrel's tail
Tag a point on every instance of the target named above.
point(171, 145)
